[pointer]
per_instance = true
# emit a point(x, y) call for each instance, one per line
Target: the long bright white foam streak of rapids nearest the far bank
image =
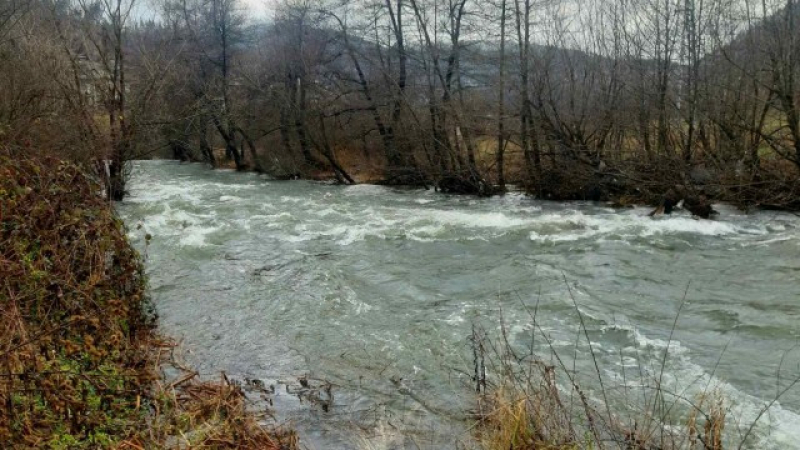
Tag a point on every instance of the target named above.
point(433, 224)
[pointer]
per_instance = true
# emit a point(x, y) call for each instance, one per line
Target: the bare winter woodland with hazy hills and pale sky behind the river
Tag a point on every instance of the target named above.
point(623, 100)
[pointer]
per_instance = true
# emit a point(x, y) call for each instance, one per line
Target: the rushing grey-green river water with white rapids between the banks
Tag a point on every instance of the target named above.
point(377, 290)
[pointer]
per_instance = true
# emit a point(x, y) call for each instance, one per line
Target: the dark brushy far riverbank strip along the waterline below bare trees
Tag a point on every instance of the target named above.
point(694, 187)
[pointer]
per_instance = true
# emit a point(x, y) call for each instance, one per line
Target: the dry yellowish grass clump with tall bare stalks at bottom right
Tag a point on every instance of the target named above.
point(532, 405)
